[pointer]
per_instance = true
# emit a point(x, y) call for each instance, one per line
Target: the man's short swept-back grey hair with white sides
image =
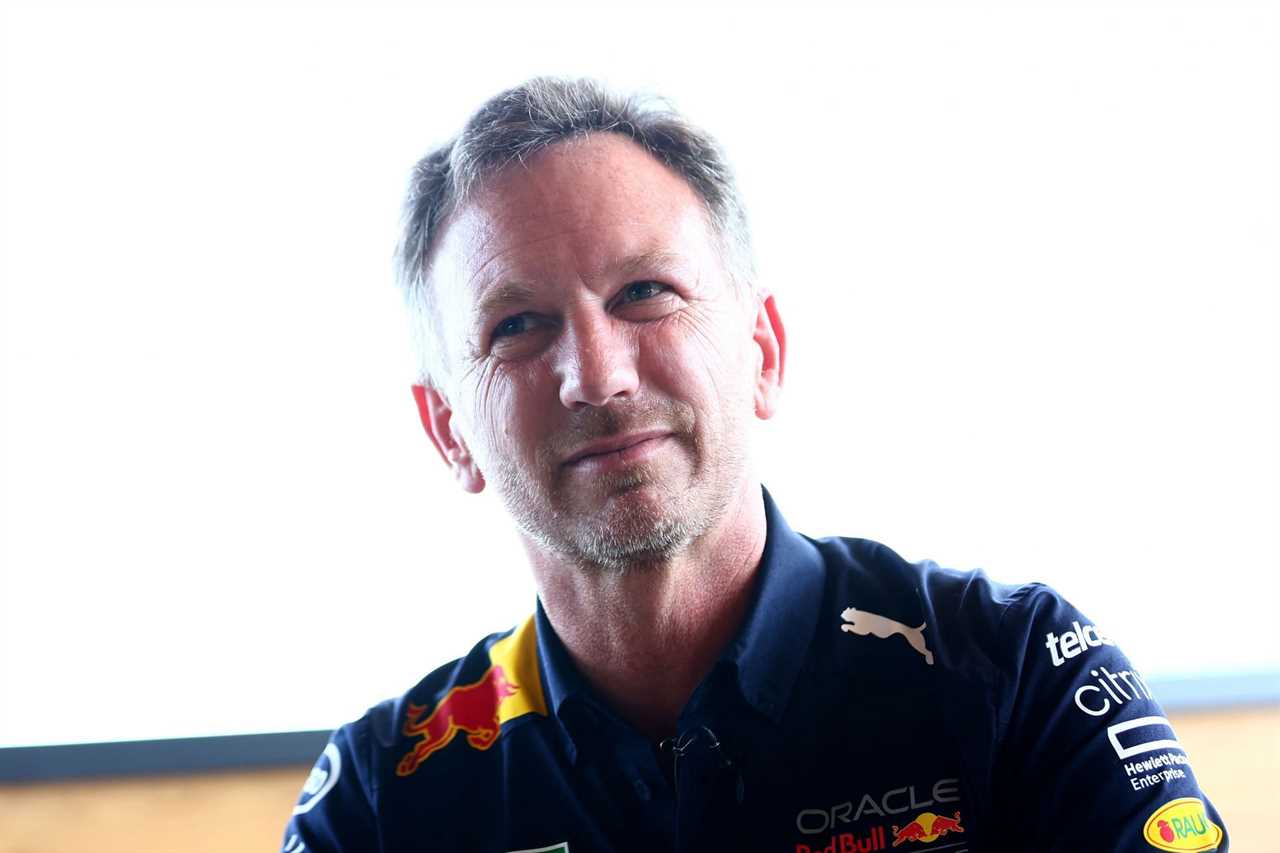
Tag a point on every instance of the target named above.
point(516, 125)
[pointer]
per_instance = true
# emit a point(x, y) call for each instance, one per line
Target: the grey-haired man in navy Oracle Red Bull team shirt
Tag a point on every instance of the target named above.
point(697, 676)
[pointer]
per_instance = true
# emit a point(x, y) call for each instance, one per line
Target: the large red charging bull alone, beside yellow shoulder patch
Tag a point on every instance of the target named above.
point(472, 709)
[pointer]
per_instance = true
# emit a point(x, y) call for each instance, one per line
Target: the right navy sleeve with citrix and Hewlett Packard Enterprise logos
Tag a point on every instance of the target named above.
point(1089, 760)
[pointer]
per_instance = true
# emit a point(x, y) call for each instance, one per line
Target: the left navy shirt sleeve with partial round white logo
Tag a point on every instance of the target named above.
point(335, 813)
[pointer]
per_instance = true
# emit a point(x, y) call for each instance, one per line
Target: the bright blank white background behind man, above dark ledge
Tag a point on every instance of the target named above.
point(1027, 256)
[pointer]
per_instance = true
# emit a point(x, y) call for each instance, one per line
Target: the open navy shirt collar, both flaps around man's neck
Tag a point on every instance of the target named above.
point(766, 655)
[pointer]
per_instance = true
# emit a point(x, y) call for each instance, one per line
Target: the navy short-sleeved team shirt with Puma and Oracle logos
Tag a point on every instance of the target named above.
point(866, 705)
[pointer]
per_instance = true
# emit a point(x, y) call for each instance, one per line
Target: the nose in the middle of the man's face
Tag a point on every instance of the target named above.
point(596, 363)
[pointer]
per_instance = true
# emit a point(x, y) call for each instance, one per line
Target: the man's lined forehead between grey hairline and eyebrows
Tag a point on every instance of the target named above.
point(572, 213)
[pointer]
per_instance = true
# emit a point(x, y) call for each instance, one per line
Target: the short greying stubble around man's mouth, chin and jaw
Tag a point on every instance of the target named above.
point(634, 521)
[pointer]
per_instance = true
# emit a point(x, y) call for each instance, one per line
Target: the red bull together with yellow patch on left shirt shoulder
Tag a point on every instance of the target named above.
point(510, 688)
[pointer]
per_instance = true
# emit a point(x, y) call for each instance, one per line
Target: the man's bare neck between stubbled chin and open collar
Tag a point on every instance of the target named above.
point(644, 640)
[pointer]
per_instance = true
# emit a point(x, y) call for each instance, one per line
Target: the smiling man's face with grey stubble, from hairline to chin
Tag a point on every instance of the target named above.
point(604, 368)
